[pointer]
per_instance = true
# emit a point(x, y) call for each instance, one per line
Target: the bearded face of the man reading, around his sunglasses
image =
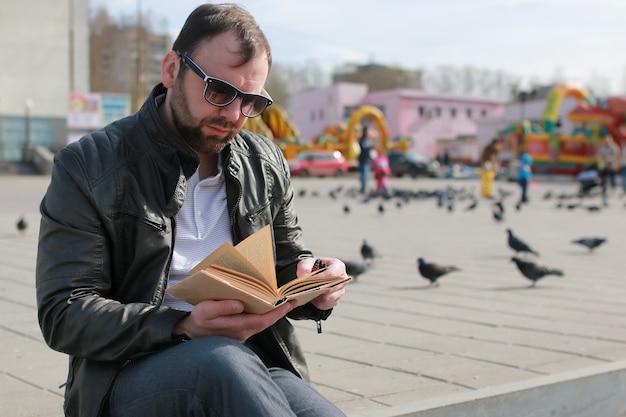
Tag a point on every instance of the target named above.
point(206, 128)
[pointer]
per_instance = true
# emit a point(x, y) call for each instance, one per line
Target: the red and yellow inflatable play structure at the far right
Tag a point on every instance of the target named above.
point(556, 152)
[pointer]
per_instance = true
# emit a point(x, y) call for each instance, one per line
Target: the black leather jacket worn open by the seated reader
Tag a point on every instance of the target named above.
point(106, 238)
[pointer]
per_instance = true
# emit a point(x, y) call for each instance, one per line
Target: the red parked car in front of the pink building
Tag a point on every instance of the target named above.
point(319, 163)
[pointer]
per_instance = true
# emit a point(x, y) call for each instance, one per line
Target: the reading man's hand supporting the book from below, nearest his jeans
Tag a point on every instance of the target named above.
point(226, 318)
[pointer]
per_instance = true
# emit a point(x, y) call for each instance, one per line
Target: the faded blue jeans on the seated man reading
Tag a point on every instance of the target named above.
point(212, 376)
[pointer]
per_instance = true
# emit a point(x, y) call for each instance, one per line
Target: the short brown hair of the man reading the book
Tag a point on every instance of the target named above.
point(209, 20)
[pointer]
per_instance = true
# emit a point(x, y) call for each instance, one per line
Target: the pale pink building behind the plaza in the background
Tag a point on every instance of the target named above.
point(426, 117)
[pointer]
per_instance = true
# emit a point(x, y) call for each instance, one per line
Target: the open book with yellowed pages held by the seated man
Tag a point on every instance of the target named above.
point(246, 272)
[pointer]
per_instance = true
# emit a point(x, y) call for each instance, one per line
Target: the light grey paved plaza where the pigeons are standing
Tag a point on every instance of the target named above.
point(482, 343)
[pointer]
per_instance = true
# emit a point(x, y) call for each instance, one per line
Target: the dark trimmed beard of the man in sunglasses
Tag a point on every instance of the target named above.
point(191, 131)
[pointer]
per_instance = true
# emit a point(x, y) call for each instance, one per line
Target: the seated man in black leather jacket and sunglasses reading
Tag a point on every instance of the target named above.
point(132, 207)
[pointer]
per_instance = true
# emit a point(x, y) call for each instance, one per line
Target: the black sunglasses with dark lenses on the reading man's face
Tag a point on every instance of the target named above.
point(221, 93)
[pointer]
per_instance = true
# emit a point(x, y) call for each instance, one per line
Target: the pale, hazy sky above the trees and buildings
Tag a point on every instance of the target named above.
point(535, 41)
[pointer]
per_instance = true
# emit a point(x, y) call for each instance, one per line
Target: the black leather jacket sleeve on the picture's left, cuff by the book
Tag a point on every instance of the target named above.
point(77, 312)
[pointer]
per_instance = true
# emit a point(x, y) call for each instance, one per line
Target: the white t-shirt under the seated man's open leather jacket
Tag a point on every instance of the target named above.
point(202, 225)
